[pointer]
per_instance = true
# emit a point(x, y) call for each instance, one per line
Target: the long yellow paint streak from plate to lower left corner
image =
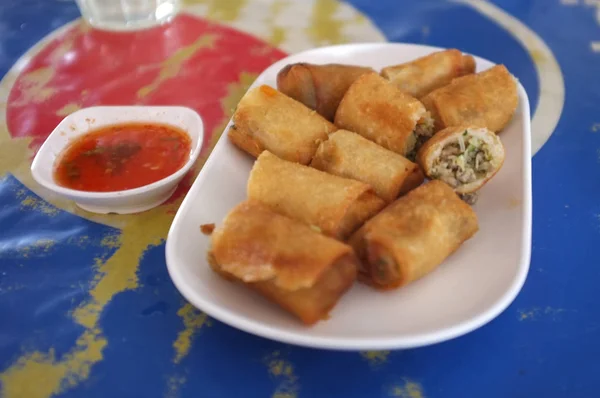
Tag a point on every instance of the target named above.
point(41, 375)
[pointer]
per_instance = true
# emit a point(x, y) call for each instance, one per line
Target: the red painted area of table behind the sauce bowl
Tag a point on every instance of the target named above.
point(89, 67)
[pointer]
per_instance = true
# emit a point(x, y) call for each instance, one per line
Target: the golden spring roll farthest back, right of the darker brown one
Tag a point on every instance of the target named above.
point(425, 74)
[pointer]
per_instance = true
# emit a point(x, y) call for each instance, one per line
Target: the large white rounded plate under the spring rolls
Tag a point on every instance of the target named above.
point(468, 290)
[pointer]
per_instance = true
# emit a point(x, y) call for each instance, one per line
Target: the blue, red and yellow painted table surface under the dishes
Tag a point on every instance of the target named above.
point(87, 308)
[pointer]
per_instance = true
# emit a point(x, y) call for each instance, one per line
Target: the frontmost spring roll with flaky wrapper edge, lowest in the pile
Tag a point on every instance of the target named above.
point(286, 261)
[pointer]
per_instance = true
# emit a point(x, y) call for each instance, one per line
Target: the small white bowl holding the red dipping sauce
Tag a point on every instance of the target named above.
point(89, 119)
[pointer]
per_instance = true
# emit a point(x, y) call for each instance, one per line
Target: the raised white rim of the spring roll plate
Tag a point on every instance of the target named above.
point(361, 343)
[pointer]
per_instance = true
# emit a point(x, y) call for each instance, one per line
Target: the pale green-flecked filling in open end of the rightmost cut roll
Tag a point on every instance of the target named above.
point(463, 161)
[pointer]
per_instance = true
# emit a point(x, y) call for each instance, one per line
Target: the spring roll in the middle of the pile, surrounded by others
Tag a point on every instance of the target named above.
point(349, 155)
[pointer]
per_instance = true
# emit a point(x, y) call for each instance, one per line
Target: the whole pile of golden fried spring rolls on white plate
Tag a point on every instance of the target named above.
point(337, 191)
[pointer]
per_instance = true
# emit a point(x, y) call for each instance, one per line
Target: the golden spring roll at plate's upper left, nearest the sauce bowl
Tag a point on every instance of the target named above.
point(266, 119)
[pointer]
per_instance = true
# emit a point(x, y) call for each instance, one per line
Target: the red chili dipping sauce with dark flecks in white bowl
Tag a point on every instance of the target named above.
point(123, 156)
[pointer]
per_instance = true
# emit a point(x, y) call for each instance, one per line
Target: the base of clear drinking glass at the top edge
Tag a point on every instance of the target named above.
point(127, 14)
